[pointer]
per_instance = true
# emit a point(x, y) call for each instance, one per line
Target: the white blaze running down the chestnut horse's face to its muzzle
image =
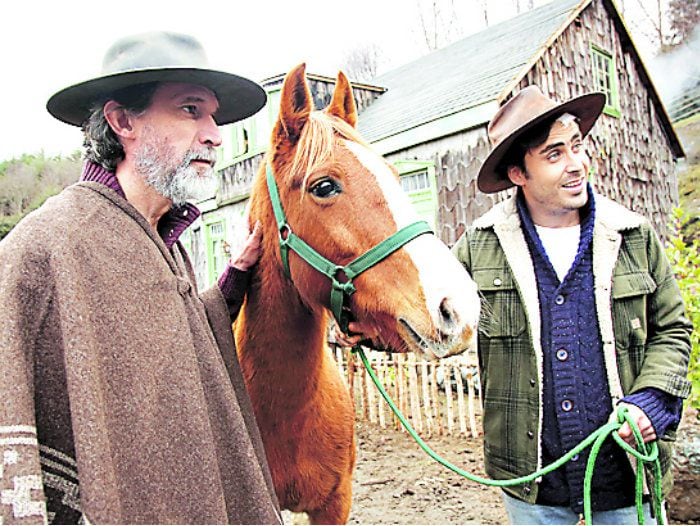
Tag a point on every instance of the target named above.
point(451, 296)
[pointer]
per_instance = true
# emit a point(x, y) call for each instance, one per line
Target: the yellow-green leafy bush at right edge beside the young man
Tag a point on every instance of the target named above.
point(685, 259)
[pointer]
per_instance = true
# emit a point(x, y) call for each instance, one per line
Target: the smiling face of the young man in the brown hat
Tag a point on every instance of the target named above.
point(554, 181)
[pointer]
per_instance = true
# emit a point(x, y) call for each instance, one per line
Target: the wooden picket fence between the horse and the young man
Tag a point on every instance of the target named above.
point(412, 384)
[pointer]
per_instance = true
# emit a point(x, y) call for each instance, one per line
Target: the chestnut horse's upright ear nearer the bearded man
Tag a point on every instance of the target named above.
point(295, 104)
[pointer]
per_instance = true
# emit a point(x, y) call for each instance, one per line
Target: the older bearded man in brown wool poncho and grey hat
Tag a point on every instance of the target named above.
point(121, 398)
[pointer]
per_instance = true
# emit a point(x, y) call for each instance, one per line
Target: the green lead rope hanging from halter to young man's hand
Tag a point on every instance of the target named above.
point(644, 454)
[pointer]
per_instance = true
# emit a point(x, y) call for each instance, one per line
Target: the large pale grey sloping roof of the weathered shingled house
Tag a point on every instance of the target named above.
point(463, 75)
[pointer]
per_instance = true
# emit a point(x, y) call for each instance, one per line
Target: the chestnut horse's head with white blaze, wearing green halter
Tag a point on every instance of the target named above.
point(343, 199)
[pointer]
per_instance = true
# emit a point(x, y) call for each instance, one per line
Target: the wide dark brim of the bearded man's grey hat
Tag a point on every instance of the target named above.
point(238, 97)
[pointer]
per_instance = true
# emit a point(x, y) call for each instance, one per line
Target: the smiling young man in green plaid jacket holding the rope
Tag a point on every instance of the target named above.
point(585, 315)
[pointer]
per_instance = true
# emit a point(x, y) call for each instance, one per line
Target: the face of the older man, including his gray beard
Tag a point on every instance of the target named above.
point(177, 134)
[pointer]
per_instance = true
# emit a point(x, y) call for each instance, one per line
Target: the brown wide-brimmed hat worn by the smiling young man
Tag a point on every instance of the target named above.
point(525, 110)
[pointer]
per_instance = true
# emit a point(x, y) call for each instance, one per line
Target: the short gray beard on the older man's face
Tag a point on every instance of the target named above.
point(179, 183)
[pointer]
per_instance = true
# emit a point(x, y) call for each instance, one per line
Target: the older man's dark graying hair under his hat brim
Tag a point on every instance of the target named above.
point(101, 144)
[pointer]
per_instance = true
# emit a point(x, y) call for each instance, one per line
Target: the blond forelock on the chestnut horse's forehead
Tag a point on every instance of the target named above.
point(315, 146)
